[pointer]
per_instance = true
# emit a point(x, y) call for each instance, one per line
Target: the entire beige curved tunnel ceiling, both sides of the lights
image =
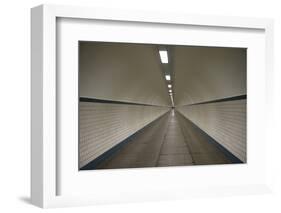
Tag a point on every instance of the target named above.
point(134, 73)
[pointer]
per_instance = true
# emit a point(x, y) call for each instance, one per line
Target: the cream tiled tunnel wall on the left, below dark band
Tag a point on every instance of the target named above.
point(103, 126)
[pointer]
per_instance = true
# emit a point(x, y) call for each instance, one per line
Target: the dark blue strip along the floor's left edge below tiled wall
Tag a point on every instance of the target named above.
point(94, 164)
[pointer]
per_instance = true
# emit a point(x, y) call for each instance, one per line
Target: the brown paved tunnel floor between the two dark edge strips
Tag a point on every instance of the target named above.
point(171, 140)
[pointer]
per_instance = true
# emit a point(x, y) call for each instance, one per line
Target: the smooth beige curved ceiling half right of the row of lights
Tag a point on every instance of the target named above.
point(208, 73)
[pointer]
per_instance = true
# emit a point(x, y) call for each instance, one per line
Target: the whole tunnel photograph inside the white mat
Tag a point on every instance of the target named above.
point(154, 105)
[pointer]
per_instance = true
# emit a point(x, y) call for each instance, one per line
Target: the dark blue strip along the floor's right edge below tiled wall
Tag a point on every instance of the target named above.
point(227, 153)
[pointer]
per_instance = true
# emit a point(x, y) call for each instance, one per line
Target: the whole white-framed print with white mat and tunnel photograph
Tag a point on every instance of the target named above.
point(131, 106)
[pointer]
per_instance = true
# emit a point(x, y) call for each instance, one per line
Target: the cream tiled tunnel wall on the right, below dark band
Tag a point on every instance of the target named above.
point(223, 121)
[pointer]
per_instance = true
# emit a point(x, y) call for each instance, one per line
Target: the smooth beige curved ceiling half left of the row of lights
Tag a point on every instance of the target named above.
point(122, 72)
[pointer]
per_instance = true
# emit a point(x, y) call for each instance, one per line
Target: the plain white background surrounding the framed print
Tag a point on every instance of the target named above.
point(15, 99)
